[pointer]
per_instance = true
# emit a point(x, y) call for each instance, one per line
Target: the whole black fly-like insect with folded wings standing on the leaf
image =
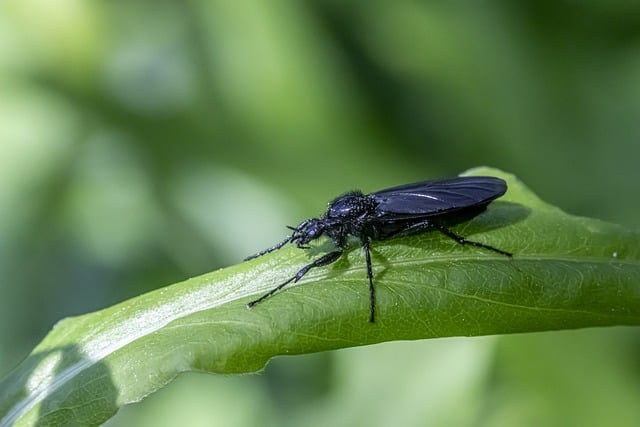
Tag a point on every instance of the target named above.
point(398, 211)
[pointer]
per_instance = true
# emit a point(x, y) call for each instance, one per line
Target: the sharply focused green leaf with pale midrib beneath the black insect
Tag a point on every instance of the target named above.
point(567, 272)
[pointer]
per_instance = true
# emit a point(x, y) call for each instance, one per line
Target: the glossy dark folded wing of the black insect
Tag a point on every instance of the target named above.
point(423, 199)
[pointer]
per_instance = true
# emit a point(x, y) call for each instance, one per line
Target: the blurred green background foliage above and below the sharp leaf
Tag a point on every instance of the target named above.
point(144, 142)
